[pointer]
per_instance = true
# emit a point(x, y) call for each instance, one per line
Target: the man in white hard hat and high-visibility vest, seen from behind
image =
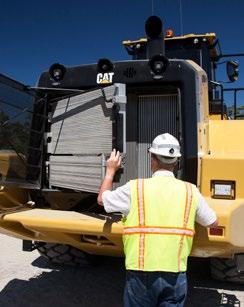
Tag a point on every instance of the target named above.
point(159, 217)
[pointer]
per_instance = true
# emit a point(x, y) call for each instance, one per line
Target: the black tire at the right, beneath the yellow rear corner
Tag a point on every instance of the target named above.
point(225, 269)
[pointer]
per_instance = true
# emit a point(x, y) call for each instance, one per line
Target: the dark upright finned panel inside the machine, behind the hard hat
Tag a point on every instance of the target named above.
point(157, 114)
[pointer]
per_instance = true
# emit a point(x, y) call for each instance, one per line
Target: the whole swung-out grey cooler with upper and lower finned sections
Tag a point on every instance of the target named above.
point(83, 130)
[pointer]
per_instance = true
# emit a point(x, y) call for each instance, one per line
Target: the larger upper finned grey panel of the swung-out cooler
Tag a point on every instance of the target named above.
point(82, 124)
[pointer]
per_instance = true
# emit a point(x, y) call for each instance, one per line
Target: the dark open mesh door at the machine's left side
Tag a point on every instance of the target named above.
point(17, 103)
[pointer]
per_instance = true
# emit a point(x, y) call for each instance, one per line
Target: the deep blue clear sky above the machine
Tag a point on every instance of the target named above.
point(35, 34)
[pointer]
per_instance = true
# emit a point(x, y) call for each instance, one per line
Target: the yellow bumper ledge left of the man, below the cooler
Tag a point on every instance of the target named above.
point(97, 235)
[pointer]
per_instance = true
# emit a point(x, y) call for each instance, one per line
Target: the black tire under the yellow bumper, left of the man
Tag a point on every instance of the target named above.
point(66, 255)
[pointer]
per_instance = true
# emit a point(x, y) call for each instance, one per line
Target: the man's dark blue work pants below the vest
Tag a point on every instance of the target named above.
point(151, 289)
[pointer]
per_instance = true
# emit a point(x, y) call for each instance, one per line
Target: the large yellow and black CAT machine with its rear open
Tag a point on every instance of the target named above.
point(56, 137)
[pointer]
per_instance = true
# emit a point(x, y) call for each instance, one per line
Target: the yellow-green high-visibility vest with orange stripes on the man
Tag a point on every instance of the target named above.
point(159, 229)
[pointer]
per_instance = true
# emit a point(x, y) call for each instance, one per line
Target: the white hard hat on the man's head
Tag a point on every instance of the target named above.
point(166, 145)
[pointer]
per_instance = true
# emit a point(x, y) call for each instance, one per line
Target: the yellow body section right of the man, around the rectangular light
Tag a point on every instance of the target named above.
point(224, 161)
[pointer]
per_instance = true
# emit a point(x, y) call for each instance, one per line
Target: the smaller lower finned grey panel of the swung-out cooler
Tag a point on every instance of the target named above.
point(76, 172)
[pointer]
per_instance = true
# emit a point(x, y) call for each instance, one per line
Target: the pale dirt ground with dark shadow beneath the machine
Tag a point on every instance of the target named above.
point(28, 280)
